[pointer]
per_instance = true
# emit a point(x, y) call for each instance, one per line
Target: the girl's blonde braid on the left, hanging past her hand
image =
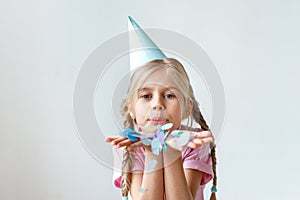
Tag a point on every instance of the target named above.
point(127, 157)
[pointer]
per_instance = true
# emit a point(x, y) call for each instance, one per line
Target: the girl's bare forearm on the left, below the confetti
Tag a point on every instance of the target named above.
point(149, 185)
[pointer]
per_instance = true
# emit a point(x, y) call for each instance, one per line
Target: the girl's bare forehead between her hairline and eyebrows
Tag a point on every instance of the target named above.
point(160, 77)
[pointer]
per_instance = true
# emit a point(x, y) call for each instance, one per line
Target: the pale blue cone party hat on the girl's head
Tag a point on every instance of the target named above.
point(142, 48)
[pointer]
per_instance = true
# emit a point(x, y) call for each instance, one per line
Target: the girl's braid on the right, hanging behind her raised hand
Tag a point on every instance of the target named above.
point(197, 115)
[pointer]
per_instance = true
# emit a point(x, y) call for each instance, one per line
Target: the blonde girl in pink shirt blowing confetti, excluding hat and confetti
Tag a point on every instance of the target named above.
point(159, 93)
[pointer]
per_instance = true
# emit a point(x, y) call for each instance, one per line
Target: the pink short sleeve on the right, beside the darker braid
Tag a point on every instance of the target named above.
point(199, 159)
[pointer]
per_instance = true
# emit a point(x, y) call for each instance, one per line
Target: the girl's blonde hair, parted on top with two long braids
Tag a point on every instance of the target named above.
point(181, 79)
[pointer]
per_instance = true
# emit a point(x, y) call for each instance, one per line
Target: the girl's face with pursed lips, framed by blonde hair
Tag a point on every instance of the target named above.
point(158, 101)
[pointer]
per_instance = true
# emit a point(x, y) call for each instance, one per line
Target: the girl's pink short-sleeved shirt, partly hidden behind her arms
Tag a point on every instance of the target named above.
point(198, 159)
